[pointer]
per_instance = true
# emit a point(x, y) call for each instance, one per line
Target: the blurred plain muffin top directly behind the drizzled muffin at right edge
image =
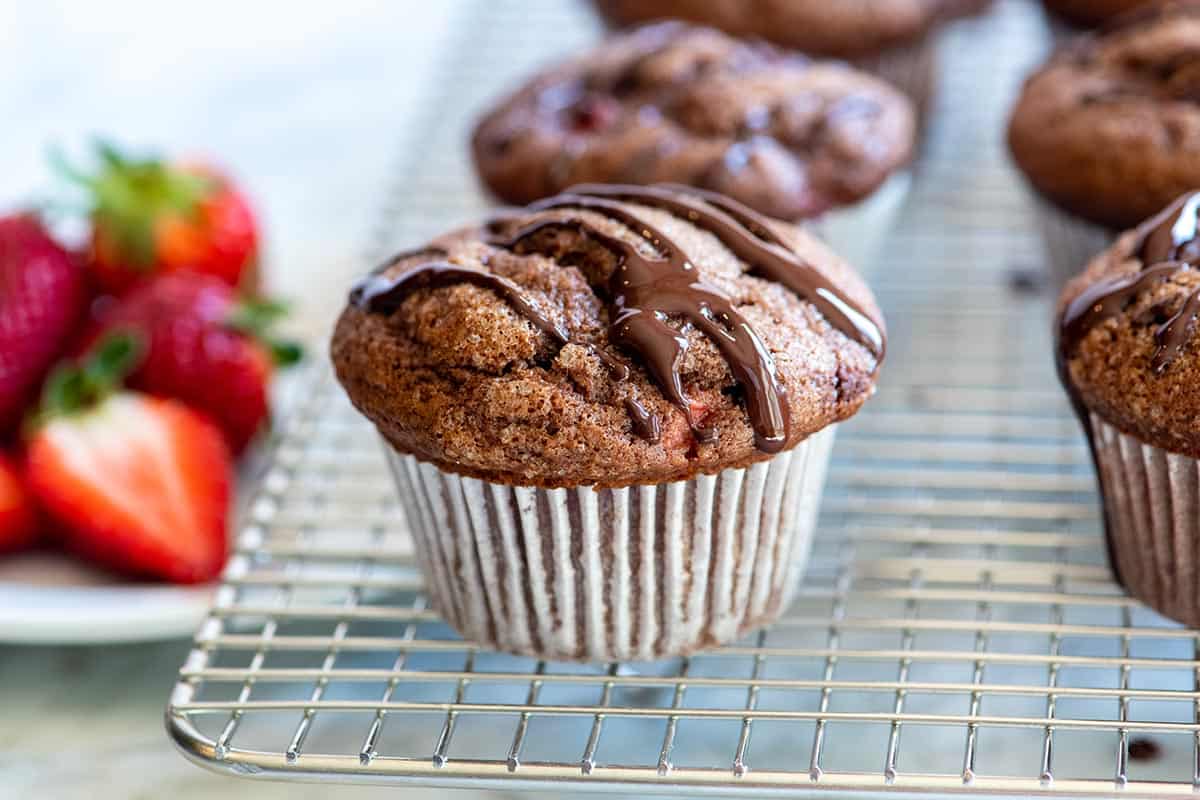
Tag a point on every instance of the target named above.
point(1111, 128)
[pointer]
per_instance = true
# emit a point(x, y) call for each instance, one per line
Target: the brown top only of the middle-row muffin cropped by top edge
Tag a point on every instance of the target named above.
point(843, 29)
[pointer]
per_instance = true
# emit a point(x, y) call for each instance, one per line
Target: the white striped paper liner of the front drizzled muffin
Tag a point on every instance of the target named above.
point(634, 574)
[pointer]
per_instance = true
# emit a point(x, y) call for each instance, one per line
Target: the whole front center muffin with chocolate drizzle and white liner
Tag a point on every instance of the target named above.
point(610, 414)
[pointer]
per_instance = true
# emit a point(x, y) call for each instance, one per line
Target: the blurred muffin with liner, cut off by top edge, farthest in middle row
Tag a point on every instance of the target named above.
point(890, 38)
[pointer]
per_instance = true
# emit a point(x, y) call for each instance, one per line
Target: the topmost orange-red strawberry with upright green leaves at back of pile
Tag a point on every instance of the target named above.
point(151, 216)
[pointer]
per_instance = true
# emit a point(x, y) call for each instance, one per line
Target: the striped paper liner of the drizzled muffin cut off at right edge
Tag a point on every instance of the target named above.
point(1153, 498)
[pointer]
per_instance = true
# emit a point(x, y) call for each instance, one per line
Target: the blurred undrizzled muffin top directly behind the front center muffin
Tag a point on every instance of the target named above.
point(674, 103)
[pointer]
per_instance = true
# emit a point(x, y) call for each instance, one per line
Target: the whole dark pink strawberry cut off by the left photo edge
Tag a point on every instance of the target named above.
point(43, 296)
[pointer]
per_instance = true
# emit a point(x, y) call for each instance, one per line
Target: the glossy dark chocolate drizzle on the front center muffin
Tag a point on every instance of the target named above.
point(646, 293)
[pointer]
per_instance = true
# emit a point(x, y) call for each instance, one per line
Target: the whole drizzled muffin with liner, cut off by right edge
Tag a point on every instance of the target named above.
point(1130, 360)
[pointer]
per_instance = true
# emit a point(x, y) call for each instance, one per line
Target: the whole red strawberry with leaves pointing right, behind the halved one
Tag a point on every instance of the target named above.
point(206, 348)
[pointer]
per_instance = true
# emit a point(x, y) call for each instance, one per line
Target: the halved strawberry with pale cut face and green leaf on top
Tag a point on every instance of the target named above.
point(137, 484)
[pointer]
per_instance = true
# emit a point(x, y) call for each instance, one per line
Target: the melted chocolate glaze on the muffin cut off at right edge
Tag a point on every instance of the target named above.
point(1171, 244)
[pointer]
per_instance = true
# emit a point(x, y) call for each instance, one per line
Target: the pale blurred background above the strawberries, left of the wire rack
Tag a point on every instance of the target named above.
point(302, 103)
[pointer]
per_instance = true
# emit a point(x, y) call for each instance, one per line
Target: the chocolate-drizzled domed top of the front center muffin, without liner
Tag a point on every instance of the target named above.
point(613, 336)
